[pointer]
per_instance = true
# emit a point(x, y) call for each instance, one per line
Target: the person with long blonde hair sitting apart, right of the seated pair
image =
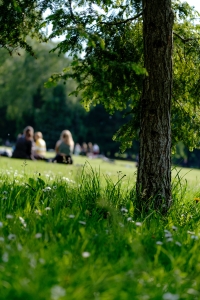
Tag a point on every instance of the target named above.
point(64, 148)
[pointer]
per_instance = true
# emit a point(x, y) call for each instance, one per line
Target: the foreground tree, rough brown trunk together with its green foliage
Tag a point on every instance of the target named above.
point(112, 71)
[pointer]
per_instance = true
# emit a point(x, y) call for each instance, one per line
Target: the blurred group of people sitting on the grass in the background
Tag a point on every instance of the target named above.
point(30, 145)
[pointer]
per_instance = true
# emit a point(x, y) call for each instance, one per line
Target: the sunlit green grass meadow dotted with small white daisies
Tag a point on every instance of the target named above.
point(69, 232)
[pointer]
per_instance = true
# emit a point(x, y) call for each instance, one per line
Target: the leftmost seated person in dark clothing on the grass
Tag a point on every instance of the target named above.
point(24, 145)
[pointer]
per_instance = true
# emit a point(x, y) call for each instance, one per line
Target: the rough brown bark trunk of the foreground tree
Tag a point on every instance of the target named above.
point(154, 170)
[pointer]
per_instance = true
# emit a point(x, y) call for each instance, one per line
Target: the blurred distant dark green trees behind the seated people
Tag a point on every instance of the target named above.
point(25, 101)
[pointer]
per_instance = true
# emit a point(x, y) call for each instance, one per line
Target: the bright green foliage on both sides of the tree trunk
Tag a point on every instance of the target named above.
point(110, 71)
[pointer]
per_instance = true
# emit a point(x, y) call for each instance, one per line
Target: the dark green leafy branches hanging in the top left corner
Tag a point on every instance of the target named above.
point(18, 20)
